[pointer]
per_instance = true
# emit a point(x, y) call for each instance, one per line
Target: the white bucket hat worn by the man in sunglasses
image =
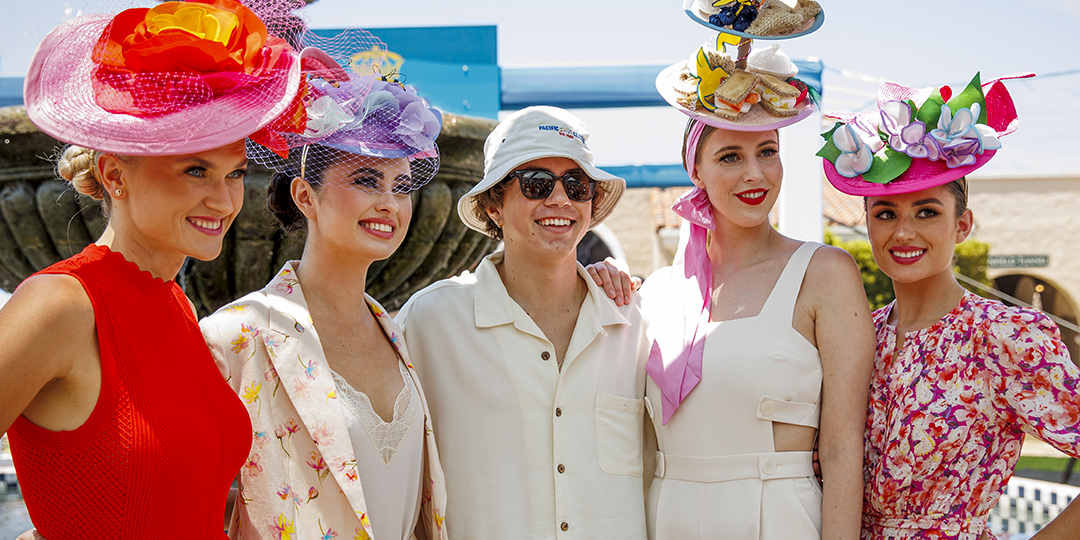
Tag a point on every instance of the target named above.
point(531, 134)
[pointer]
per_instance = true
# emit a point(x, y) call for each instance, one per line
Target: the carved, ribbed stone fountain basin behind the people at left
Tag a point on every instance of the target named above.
point(45, 222)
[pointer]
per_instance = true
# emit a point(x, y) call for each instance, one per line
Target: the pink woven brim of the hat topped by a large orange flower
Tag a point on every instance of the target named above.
point(59, 97)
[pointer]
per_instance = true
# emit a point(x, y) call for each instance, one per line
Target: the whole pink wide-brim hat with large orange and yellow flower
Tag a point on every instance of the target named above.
point(178, 78)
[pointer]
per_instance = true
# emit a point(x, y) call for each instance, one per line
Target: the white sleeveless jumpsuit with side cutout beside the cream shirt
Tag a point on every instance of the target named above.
point(719, 476)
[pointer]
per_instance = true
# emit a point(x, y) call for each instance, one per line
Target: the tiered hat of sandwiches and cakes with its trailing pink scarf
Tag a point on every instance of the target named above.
point(755, 92)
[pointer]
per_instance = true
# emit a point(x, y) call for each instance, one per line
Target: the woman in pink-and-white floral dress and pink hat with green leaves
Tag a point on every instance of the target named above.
point(958, 380)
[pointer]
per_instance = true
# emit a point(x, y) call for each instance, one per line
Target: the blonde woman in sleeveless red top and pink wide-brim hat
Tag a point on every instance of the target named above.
point(120, 423)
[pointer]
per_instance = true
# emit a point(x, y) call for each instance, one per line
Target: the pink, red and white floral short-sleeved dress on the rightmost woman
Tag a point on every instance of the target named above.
point(949, 413)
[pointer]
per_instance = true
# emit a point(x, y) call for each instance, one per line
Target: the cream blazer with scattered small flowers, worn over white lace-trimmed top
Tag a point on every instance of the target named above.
point(301, 479)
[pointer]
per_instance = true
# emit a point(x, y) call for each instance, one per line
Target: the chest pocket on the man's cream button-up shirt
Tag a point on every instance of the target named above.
point(619, 435)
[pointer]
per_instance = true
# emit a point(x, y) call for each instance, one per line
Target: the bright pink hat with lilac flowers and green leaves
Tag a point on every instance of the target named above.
point(919, 139)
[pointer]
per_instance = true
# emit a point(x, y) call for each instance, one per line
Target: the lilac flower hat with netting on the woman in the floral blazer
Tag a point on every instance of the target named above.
point(355, 115)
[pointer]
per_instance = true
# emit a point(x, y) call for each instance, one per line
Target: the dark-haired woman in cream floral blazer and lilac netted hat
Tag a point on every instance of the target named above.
point(342, 440)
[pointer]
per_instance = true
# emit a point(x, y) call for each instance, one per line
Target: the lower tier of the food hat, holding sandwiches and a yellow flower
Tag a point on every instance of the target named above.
point(712, 89)
